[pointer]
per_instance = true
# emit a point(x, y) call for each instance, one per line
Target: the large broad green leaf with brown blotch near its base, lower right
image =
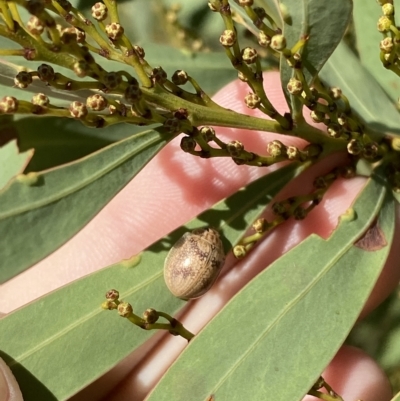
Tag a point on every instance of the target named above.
point(290, 320)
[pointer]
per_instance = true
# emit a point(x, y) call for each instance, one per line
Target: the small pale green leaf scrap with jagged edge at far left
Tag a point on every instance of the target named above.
point(12, 162)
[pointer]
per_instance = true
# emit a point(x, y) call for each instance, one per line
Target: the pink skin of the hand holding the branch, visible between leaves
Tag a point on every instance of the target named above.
point(186, 186)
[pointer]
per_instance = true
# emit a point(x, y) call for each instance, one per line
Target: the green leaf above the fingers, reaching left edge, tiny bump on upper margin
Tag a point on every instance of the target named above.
point(40, 211)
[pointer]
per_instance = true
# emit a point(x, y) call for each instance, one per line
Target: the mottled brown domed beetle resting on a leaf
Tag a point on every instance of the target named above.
point(193, 263)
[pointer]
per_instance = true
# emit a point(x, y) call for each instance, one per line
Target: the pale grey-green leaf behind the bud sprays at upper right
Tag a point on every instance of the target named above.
point(366, 96)
